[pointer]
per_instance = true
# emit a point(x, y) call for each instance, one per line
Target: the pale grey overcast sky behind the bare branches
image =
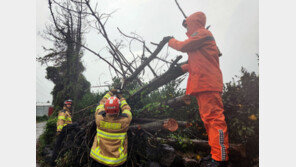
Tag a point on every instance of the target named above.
point(234, 24)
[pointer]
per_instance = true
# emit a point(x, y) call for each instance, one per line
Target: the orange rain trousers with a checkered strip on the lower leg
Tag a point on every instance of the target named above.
point(211, 112)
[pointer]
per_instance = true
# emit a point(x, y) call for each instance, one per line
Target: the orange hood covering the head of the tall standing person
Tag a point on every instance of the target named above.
point(194, 22)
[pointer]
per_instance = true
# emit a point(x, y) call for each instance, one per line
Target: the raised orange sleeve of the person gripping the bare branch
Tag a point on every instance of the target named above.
point(195, 41)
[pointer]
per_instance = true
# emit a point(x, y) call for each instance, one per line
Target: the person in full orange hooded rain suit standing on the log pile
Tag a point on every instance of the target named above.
point(205, 83)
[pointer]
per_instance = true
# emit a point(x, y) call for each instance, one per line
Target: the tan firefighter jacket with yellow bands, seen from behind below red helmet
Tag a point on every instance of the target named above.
point(110, 144)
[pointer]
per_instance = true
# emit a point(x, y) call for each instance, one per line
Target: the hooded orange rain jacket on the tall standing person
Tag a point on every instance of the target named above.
point(203, 59)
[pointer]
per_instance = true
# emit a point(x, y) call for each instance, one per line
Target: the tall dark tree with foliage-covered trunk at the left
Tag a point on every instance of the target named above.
point(65, 57)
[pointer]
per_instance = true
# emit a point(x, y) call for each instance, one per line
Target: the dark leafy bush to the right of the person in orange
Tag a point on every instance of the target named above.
point(241, 101)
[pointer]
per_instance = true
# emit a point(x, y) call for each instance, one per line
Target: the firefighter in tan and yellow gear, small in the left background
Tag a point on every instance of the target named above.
point(64, 117)
